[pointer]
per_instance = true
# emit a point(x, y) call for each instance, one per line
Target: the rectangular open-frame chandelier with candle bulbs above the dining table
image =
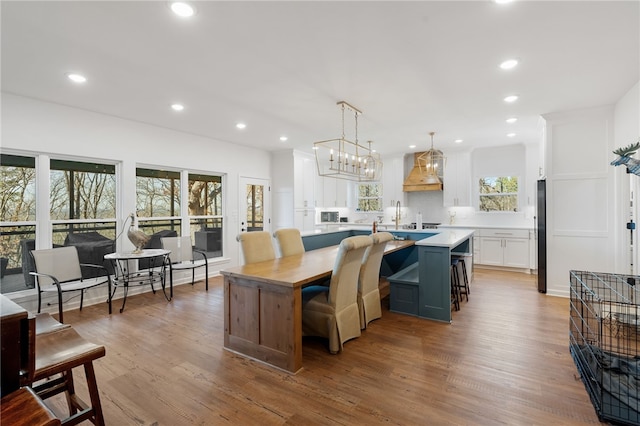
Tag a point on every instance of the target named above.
point(342, 158)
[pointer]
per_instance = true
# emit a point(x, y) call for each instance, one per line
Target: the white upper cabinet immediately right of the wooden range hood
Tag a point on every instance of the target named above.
point(457, 179)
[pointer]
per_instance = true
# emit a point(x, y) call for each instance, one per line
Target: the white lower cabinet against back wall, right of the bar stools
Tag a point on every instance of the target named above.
point(504, 247)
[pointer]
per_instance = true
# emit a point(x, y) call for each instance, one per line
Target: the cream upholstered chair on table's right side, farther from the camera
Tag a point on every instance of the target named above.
point(369, 279)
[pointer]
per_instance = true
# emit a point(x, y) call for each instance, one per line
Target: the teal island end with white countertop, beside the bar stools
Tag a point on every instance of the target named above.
point(424, 288)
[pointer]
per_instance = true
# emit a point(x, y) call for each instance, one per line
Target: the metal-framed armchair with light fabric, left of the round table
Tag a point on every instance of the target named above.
point(59, 270)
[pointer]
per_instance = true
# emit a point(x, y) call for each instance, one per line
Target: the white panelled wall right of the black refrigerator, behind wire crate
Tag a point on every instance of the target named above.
point(587, 198)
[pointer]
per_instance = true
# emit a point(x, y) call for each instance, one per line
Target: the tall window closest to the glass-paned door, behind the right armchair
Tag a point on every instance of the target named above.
point(205, 213)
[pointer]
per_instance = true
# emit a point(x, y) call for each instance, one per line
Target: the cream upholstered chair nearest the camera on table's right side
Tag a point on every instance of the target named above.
point(332, 312)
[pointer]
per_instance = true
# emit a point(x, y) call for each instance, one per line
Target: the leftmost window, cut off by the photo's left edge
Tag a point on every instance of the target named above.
point(17, 218)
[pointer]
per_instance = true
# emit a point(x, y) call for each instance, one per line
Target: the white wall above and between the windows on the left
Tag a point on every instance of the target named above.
point(30, 126)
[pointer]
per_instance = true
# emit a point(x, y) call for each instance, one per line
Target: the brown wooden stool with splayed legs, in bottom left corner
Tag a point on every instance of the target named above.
point(57, 353)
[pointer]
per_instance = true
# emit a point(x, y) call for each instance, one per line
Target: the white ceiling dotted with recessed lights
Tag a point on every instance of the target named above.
point(411, 67)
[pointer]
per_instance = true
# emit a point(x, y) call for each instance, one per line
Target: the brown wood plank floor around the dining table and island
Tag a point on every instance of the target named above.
point(504, 360)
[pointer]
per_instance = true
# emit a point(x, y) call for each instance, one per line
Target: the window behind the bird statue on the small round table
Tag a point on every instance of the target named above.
point(158, 200)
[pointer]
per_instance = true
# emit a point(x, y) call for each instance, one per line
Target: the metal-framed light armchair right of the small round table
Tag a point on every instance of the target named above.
point(182, 258)
